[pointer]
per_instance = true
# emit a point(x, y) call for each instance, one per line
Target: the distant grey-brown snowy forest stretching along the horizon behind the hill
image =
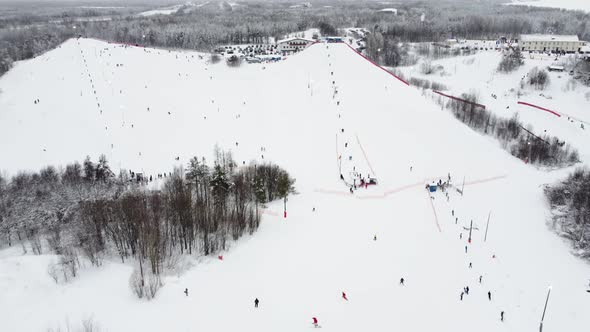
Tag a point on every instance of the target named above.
point(259, 22)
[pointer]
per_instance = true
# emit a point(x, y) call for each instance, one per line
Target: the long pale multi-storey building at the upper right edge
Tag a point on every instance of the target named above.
point(550, 43)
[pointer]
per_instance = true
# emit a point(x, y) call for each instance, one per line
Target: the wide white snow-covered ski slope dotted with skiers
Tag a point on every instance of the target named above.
point(298, 267)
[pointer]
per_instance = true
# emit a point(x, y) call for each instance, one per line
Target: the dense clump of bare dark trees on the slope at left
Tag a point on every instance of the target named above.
point(84, 210)
